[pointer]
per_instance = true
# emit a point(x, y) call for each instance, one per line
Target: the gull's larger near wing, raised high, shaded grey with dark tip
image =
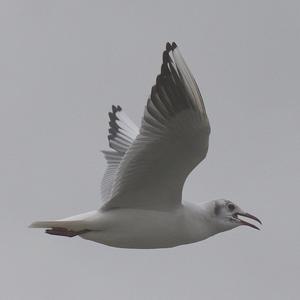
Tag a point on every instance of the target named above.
point(173, 139)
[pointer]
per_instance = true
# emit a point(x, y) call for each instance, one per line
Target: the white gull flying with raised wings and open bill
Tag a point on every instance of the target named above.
point(147, 168)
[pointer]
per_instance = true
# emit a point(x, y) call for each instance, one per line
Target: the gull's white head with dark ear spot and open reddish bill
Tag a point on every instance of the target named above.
point(226, 214)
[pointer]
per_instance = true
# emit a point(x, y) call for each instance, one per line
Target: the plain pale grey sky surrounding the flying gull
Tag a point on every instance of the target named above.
point(62, 65)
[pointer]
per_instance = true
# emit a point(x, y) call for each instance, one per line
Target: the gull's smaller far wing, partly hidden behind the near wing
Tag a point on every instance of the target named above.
point(122, 133)
